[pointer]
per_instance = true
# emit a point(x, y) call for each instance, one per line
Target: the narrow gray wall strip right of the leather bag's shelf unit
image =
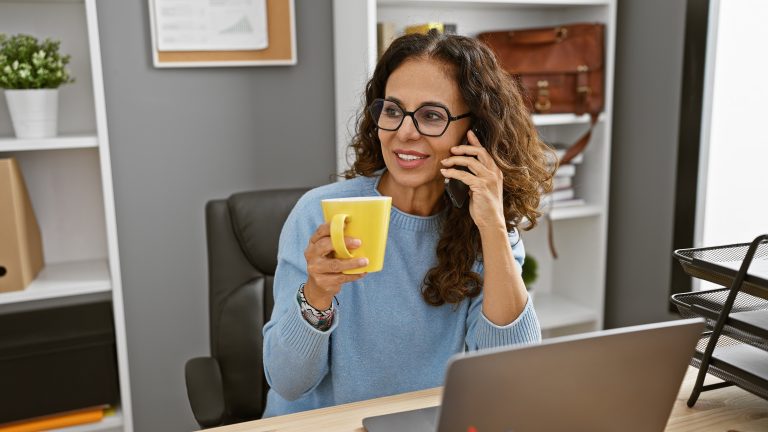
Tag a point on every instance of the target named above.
point(649, 61)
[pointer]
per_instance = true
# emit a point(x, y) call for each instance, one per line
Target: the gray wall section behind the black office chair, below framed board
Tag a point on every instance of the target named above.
point(180, 137)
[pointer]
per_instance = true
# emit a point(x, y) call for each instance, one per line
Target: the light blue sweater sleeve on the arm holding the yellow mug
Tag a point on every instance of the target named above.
point(295, 353)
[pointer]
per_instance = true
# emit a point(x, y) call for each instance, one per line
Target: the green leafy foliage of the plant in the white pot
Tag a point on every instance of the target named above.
point(27, 63)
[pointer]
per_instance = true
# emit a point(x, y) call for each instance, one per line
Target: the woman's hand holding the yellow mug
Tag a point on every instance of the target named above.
point(325, 270)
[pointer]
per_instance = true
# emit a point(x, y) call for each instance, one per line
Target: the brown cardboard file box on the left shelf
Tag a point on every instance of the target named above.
point(21, 247)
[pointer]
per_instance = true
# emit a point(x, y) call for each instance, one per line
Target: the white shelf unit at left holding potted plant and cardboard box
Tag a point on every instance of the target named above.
point(69, 180)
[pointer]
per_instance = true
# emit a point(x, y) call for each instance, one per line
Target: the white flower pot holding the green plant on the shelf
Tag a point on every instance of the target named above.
point(33, 112)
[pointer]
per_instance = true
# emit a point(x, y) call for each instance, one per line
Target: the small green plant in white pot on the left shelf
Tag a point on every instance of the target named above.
point(31, 72)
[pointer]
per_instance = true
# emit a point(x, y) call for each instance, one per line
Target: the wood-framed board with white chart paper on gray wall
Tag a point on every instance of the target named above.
point(204, 33)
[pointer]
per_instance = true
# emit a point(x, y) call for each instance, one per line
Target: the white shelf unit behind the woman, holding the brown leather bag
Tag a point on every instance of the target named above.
point(570, 291)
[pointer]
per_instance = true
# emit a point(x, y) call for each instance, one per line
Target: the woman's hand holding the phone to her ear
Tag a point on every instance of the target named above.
point(485, 181)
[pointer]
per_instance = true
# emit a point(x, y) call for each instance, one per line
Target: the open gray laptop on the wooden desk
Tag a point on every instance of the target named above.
point(623, 379)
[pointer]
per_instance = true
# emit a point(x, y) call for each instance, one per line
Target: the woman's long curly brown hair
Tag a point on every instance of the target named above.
point(498, 110)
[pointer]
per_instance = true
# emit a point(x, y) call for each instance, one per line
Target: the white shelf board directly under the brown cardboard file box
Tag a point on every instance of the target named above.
point(64, 280)
